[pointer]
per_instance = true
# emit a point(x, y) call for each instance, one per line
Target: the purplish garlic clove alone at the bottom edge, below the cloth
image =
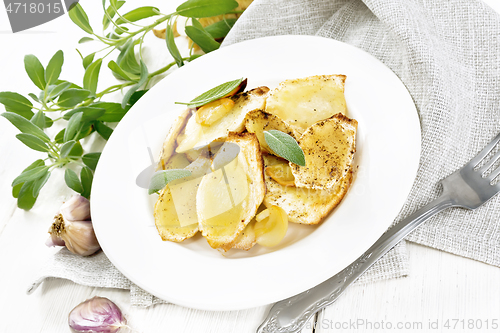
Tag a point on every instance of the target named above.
point(96, 315)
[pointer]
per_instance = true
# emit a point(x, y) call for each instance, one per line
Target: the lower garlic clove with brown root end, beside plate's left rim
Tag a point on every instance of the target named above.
point(78, 236)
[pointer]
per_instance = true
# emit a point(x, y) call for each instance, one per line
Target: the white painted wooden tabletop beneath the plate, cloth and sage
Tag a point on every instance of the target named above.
point(440, 287)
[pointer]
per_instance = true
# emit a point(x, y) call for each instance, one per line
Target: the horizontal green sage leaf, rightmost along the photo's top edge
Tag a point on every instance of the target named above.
point(205, 8)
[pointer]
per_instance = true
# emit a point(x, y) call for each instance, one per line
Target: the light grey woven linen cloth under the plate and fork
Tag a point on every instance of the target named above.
point(446, 53)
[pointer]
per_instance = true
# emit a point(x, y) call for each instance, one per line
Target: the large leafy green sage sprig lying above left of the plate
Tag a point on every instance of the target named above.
point(79, 105)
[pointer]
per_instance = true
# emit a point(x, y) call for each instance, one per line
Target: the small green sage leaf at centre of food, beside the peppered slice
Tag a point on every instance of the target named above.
point(285, 146)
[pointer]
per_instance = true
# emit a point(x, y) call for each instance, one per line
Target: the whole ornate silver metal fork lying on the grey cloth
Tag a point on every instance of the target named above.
point(467, 187)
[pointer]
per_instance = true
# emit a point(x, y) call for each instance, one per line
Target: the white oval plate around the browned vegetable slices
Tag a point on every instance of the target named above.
point(194, 275)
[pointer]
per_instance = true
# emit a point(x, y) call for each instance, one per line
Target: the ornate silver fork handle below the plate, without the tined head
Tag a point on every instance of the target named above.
point(291, 314)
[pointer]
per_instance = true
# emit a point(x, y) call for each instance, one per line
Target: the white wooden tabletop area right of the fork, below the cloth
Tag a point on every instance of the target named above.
point(441, 287)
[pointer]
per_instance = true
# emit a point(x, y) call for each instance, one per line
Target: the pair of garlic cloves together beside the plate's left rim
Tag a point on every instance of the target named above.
point(77, 235)
